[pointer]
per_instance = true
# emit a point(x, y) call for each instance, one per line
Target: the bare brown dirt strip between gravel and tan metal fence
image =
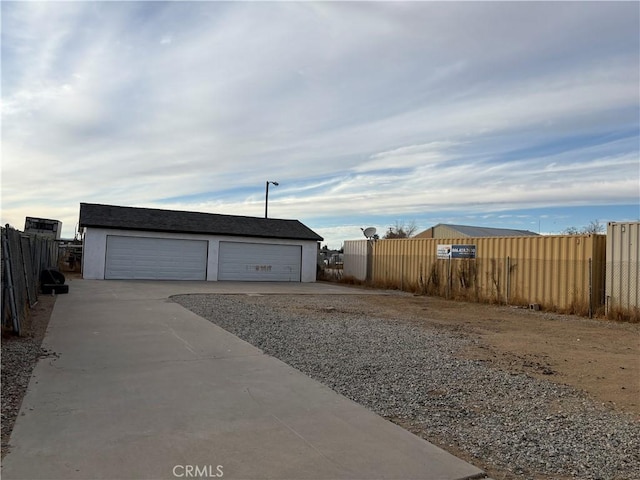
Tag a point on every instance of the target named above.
point(598, 356)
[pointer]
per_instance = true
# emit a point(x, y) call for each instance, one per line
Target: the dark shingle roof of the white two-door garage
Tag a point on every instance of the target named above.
point(157, 220)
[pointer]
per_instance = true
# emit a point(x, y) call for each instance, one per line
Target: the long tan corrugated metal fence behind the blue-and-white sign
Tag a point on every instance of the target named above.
point(565, 273)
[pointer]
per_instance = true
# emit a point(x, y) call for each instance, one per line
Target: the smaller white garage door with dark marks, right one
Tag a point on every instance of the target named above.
point(259, 262)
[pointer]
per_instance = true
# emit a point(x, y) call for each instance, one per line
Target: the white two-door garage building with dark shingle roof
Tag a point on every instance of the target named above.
point(146, 243)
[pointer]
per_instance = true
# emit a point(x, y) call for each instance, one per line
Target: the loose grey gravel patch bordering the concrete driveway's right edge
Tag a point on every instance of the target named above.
point(512, 425)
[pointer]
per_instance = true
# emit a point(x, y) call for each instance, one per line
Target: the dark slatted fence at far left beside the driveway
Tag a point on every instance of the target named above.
point(23, 258)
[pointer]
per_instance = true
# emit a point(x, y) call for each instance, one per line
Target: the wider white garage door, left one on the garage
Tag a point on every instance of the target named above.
point(155, 258)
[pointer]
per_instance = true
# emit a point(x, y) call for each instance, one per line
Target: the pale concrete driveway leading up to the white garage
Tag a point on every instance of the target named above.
point(143, 388)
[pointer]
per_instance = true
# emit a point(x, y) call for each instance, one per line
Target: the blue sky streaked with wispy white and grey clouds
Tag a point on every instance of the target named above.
point(513, 115)
